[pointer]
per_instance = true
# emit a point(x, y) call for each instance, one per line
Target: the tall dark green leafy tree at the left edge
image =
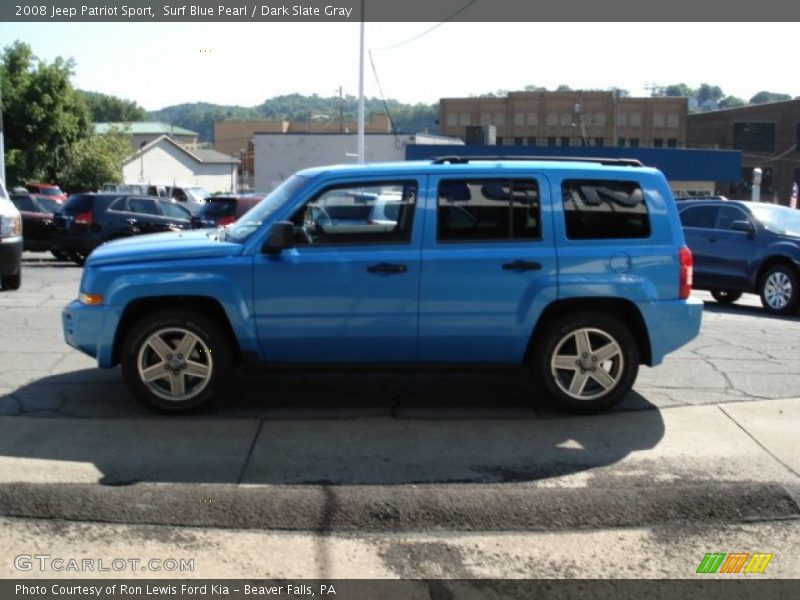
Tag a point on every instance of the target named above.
point(44, 115)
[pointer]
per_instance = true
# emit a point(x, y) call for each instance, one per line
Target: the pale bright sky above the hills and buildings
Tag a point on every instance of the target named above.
point(162, 64)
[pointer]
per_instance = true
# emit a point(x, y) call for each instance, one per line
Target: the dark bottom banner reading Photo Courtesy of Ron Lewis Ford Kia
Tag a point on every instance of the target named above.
point(705, 587)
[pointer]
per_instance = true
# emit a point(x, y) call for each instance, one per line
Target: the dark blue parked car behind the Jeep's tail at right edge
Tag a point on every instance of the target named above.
point(744, 247)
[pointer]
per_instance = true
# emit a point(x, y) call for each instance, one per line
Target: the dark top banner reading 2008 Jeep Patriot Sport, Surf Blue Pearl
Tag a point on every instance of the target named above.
point(405, 10)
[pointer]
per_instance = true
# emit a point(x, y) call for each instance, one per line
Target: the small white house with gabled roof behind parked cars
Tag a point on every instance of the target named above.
point(164, 161)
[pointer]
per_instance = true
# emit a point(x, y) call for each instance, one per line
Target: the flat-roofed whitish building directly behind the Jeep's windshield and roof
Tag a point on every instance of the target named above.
point(279, 155)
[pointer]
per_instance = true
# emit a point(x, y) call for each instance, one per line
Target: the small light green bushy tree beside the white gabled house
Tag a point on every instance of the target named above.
point(95, 160)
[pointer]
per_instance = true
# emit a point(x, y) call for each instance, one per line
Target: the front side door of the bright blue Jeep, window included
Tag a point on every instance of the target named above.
point(348, 291)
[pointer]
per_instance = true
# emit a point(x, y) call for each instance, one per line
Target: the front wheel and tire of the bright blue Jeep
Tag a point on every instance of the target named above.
point(209, 356)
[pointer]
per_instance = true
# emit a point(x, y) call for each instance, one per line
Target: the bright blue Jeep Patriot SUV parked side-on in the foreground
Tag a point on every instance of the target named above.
point(576, 270)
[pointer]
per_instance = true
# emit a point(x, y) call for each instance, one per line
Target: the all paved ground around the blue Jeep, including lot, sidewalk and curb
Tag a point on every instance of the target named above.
point(403, 475)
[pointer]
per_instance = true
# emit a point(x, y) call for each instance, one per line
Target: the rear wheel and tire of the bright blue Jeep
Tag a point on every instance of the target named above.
point(616, 373)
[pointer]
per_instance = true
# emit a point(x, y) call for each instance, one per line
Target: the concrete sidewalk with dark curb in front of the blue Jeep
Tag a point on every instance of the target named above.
point(628, 494)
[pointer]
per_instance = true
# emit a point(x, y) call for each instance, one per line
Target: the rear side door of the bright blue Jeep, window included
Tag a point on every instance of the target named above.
point(489, 267)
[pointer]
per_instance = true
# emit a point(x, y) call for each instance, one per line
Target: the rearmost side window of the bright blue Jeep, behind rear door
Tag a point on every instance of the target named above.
point(604, 209)
